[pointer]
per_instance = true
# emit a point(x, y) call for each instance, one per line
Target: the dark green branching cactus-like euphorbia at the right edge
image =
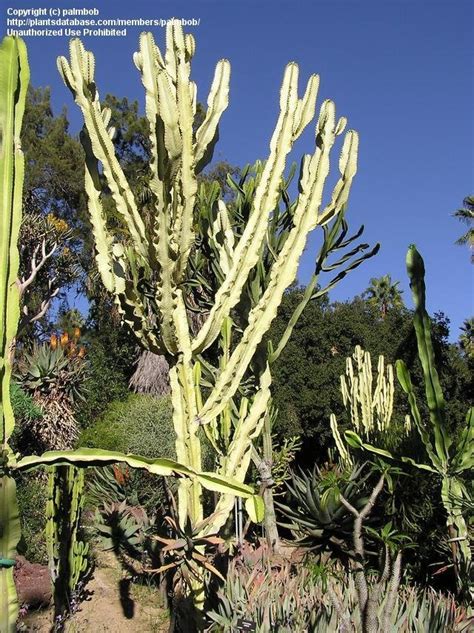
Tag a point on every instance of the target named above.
point(448, 458)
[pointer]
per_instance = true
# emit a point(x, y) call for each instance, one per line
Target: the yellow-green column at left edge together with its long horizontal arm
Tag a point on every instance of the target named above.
point(14, 77)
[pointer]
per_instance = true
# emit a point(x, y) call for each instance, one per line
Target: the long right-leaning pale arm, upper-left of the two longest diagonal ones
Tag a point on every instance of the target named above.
point(246, 252)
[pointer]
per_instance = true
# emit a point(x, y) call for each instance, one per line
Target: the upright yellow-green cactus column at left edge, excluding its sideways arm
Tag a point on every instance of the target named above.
point(14, 77)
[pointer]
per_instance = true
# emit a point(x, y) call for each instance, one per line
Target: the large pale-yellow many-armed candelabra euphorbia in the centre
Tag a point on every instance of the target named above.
point(148, 272)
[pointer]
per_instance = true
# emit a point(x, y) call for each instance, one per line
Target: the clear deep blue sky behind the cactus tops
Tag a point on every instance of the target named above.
point(400, 71)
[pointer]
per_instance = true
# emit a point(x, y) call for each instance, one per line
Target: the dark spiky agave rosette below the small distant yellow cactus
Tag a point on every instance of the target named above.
point(316, 516)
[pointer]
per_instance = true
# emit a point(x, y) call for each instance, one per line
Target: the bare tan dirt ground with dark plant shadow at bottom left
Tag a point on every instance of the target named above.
point(114, 605)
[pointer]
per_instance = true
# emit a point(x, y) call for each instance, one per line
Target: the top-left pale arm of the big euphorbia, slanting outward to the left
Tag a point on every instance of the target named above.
point(79, 78)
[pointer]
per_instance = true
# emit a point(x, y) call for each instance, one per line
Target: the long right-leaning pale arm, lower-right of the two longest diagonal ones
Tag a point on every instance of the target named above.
point(284, 269)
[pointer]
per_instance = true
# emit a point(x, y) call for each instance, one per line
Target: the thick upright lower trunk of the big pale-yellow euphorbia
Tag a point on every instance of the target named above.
point(184, 398)
